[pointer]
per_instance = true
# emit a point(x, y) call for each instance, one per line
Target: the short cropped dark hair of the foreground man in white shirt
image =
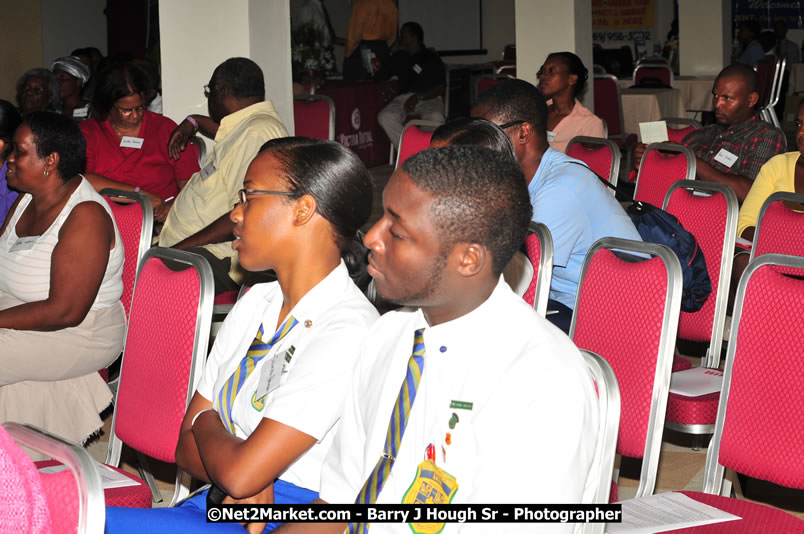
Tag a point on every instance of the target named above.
point(480, 197)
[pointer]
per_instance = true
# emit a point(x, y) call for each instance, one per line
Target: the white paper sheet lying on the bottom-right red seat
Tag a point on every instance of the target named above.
point(665, 511)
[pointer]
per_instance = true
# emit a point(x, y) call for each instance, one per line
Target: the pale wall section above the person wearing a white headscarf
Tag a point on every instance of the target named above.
point(70, 25)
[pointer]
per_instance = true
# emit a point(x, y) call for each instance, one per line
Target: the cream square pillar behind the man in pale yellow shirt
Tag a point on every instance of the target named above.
point(198, 35)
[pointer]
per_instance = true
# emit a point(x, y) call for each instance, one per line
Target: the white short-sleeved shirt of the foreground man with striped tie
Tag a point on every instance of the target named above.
point(529, 436)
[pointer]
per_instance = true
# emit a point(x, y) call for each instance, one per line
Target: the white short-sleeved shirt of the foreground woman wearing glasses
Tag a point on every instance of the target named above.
point(333, 318)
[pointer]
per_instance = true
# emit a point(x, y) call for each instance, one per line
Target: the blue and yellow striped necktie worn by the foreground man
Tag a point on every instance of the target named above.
point(396, 429)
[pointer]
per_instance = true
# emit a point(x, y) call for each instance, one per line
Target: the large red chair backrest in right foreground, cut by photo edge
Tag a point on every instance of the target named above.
point(759, 429)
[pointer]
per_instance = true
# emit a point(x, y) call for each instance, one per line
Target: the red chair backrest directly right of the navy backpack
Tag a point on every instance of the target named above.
point(709, 212)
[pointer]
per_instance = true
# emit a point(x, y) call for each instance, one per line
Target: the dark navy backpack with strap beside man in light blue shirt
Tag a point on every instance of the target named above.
point(657, 226)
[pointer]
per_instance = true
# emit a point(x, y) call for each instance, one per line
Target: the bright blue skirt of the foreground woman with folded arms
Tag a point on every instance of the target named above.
point(191, 516)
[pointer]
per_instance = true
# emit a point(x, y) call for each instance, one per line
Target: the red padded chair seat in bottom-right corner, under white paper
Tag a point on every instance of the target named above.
point(755, 517)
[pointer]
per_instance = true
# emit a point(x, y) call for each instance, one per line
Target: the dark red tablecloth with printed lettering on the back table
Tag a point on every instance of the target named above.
point(356, 126)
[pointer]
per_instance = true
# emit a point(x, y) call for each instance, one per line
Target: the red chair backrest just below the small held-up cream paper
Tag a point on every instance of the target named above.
point(662, 165)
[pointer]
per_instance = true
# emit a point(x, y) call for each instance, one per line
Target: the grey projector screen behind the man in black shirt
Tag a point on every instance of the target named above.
point(452, 27)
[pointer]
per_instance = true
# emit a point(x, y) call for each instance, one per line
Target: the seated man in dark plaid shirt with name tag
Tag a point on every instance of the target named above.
point(732, 151)
